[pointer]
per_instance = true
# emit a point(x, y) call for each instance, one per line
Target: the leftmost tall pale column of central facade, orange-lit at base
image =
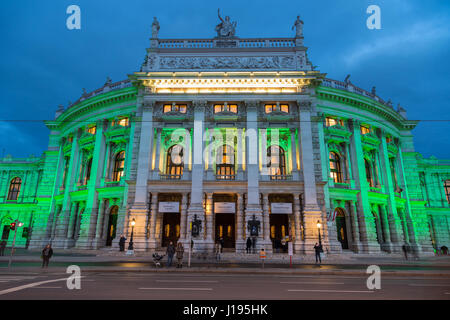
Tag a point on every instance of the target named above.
point(139, 207)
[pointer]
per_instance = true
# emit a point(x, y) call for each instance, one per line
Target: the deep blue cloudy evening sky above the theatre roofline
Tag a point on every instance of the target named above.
point(43, 64)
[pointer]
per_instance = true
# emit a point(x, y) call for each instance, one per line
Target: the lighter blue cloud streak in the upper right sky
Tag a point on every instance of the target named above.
point(419, 35)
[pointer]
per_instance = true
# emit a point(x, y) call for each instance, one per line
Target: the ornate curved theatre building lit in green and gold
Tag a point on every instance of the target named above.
point(223, 139)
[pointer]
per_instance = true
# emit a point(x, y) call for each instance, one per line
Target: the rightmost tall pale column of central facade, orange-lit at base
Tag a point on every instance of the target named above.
point(311, 210)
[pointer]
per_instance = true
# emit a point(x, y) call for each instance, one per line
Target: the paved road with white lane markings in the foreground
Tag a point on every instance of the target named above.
point(208, 286)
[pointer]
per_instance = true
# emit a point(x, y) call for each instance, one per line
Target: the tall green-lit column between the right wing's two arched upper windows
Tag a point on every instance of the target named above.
point(366, 221)
